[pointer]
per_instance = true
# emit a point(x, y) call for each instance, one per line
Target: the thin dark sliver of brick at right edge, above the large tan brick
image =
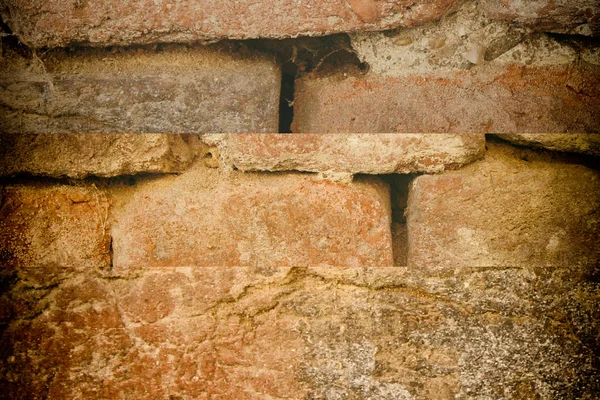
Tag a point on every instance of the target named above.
point(585, 143)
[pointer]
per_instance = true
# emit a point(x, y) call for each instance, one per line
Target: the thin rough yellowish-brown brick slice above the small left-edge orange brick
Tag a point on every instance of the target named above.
point(104, 155)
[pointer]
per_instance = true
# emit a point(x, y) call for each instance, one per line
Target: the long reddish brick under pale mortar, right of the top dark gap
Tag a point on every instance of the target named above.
point(495, 98)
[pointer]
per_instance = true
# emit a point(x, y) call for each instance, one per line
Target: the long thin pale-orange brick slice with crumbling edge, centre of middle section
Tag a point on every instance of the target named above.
point(352, 154)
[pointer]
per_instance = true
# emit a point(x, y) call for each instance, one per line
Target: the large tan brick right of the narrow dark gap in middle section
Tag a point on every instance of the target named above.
point(516, 208)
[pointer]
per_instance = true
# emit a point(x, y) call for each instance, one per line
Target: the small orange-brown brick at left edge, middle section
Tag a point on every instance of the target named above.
point(47, 230)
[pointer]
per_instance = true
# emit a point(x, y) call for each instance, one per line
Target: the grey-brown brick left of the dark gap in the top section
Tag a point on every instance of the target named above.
point(175, 89)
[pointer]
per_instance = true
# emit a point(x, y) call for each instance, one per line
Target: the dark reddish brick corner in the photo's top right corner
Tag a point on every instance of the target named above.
point(580, 17)
